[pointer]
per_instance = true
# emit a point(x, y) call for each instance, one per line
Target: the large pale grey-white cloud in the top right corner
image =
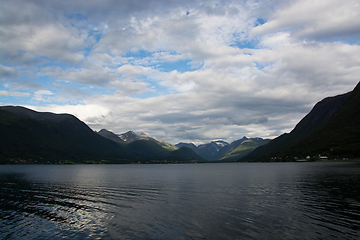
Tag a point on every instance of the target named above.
point(318, 19)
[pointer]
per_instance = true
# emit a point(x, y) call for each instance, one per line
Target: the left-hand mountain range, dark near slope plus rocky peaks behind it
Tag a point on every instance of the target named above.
point(28, 136)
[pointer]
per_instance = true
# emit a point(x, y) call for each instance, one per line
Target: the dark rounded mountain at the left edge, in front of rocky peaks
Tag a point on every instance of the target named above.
point(32, 136)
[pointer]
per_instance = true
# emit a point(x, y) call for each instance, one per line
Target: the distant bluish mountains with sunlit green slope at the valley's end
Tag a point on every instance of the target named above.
point(223, 151)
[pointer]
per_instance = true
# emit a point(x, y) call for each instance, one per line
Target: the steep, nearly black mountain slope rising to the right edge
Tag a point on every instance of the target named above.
point(331, 128)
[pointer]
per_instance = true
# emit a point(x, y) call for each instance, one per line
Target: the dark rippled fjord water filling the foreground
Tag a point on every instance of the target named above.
point(185, 201)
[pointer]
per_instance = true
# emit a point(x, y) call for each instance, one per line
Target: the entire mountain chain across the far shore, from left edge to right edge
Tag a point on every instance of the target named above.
point(331, 130)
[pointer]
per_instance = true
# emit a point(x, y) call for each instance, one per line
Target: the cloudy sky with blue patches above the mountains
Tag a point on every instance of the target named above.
point(180, 71)
